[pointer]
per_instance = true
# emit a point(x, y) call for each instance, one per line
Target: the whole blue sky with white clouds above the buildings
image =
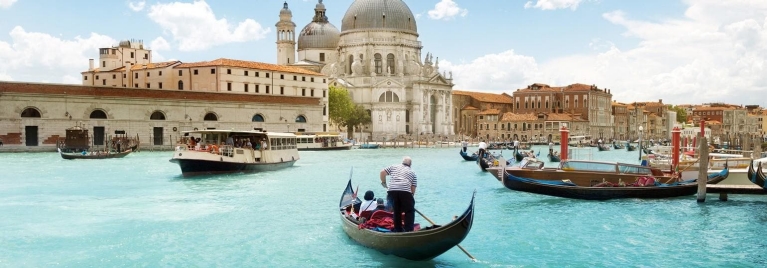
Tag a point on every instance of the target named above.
point(677, 51)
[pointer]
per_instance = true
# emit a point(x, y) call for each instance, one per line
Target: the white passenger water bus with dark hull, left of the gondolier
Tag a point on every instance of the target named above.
point(228, 151)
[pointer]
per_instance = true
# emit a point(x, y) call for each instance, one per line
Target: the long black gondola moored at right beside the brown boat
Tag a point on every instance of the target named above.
point(568, 189)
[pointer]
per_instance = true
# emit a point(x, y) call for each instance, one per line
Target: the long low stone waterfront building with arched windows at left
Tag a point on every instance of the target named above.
point(34, 116)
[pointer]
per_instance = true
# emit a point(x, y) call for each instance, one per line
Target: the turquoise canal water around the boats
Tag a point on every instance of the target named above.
point(139, 211)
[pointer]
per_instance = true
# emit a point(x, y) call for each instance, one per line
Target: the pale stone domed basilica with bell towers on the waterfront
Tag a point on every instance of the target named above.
point(377, 57)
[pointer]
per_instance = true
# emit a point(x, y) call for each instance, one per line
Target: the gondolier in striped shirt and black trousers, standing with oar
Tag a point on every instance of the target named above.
point(401, 188)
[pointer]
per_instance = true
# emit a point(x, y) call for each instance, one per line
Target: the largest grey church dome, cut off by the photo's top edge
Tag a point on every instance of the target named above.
point(379, 14)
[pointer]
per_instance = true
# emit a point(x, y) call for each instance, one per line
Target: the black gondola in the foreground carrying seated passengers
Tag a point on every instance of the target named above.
point(424, 244)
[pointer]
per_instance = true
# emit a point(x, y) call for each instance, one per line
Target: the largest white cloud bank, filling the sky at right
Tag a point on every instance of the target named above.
point(715, 53)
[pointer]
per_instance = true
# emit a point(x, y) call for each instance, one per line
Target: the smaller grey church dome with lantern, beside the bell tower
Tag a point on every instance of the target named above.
point(319, 33)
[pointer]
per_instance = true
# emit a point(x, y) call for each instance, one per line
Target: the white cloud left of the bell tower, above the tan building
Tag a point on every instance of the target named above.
point(195, 27)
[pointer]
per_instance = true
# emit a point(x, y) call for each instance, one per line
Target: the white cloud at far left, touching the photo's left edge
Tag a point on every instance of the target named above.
point(36, 57)
